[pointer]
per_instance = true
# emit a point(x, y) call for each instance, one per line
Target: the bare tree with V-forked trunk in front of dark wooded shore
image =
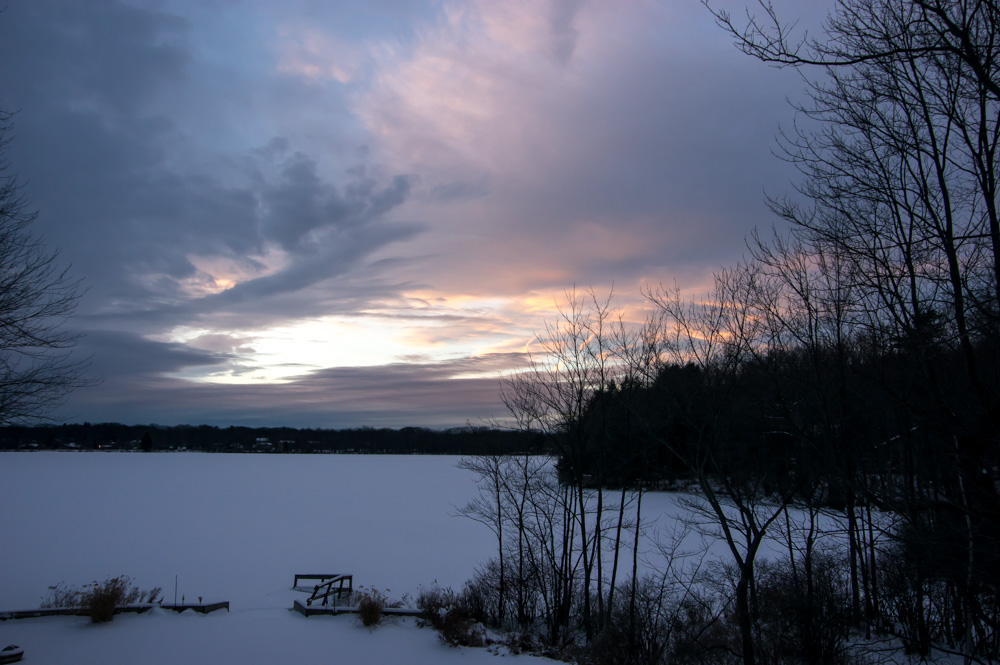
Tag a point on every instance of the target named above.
point(720, 337)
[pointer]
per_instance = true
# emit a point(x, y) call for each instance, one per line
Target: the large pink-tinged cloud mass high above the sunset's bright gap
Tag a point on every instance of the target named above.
point(585, 143)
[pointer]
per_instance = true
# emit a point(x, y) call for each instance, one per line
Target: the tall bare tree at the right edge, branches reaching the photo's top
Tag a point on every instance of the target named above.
point(902, 178)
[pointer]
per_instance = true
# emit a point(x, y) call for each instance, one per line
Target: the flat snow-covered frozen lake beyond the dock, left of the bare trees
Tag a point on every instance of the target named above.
point(233, 527)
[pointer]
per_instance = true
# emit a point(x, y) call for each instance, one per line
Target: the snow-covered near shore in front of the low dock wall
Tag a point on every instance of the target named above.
point(271, 636)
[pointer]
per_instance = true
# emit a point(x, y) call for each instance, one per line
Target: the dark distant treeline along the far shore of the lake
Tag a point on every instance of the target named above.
point(408, 440)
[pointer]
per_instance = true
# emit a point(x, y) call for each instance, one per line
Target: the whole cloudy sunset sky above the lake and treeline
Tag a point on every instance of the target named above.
point(349, 213)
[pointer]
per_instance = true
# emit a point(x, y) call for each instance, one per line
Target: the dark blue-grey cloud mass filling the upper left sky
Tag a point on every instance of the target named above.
point(98, 146)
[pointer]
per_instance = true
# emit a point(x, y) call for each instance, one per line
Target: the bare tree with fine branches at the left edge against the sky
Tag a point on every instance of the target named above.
point(36, 299)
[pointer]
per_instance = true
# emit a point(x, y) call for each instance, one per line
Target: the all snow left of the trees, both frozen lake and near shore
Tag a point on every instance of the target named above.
point(236, 528)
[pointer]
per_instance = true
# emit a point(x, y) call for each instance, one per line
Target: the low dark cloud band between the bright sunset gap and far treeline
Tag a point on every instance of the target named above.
point(394, 395)
